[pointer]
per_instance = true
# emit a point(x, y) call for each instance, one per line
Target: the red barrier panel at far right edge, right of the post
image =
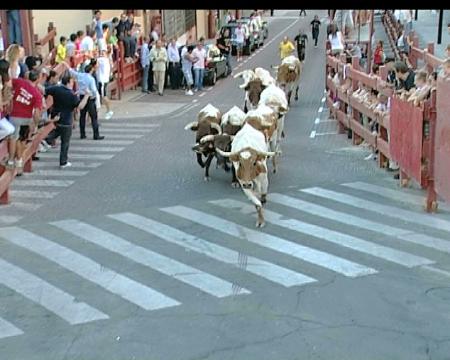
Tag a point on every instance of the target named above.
point(442, 140)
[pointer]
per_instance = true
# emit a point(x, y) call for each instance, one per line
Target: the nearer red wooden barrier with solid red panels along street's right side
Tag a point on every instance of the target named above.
point(419, 136)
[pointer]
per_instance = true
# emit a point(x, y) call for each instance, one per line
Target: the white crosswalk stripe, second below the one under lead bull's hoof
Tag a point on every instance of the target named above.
point(242, 261)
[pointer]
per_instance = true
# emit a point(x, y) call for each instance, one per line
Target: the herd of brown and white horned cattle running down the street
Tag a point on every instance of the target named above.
point(247, 138)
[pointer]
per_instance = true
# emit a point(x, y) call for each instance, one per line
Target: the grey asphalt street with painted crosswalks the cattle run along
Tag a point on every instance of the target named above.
point(134, 256)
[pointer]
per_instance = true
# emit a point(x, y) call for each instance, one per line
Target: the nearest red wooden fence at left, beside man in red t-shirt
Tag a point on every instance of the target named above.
point(6, 175)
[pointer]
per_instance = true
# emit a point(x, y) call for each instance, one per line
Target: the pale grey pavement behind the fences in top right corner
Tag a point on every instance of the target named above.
point(426, 27)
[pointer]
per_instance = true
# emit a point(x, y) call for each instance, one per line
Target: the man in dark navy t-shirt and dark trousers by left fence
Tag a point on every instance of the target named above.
point(64, 103)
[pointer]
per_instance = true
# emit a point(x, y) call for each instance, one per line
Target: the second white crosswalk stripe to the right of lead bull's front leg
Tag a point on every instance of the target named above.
point(389, 211)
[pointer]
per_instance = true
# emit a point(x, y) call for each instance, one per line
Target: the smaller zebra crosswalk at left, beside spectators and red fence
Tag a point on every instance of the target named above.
point(32, 190)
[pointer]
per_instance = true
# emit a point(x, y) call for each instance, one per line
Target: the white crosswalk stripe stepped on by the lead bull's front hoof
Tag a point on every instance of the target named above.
point(335, 237)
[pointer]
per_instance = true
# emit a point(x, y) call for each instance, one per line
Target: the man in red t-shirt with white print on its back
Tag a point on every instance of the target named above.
point(26, 107)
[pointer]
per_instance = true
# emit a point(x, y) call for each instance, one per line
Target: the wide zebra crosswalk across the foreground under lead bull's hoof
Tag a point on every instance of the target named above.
point(213, 249)
